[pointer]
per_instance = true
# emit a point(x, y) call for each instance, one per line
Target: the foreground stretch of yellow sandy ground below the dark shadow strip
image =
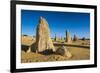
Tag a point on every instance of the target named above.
point(77, 54)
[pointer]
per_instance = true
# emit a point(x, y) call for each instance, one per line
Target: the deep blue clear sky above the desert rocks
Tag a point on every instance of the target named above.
point(59, 22)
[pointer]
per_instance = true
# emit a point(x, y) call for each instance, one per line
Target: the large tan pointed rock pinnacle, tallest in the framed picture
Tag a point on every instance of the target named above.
point(43, 39)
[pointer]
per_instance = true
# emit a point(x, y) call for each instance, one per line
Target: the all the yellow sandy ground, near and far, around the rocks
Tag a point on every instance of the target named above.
point(78, 52)
